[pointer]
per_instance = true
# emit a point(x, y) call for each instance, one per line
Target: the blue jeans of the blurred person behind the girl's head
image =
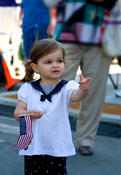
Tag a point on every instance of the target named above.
point(30, 35)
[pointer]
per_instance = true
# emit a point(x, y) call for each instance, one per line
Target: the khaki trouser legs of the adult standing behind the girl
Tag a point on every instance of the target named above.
point(95, 65)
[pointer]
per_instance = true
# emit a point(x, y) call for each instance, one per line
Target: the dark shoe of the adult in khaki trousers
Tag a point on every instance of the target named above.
point(86, 150)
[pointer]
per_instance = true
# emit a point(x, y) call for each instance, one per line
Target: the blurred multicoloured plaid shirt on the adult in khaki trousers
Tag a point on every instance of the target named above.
point(81, 22)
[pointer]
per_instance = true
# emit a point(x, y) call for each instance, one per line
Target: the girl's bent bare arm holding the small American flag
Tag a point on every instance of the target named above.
point(21, 109)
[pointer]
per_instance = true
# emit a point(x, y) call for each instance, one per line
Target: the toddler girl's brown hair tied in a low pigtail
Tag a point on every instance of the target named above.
point(40, 49)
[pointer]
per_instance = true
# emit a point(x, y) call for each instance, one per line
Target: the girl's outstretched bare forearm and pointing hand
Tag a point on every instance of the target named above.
point(80, 93)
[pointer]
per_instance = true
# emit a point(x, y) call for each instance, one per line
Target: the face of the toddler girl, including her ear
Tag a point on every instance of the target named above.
point(51, 67)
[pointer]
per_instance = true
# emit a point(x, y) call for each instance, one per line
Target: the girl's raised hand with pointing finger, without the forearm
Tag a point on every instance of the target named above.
point(84, 84)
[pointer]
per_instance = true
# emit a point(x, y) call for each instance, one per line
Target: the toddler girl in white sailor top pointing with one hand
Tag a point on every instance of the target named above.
point(47, 101)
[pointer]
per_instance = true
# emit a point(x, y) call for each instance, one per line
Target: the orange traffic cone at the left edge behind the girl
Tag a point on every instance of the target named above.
point(9, 80)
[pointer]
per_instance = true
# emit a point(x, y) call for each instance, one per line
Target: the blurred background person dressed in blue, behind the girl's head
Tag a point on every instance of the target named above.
point(35, 18)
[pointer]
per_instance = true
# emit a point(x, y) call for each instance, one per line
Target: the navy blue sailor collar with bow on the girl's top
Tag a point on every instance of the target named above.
point(36, 85)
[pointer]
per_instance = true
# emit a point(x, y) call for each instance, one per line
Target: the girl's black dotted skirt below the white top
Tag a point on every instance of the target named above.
point(44, 165)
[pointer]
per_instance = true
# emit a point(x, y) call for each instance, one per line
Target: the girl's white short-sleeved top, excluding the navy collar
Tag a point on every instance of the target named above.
point(52, 132)
